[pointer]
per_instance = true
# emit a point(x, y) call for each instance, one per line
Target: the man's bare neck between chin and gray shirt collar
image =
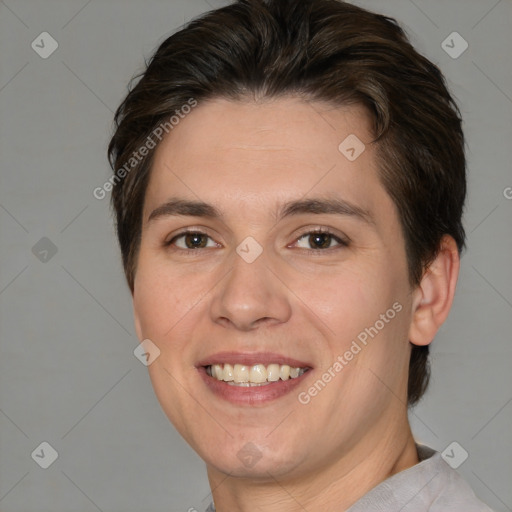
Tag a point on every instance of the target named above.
point(334, 487)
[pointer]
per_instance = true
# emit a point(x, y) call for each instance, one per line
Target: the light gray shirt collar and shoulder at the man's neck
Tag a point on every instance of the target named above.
point(429, 486)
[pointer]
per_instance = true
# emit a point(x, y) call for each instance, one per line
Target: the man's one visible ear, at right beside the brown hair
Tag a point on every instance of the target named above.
point(433, 298)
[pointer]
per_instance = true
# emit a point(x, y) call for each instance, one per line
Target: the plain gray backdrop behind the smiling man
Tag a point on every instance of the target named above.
point(68, 375)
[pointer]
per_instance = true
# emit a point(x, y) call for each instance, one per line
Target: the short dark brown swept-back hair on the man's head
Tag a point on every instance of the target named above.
point(324, 50)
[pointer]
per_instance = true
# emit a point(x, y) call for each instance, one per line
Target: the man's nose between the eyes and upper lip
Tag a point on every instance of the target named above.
point(251, 295)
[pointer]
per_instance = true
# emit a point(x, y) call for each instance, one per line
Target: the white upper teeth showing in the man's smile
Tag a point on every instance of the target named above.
point(256, 374)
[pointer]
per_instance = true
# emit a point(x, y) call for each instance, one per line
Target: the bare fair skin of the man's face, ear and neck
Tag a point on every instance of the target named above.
point(247, 159)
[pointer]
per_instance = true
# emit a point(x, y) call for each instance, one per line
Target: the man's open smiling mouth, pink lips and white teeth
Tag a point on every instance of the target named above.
point(252, 379)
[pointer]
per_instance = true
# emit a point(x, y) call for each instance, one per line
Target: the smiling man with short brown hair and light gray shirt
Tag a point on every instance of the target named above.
point(289, 185)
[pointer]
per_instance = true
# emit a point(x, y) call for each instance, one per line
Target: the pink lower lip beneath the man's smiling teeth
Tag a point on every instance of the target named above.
point(252, 395)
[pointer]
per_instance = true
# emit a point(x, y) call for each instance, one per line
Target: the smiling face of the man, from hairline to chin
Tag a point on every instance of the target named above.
point(294, 257)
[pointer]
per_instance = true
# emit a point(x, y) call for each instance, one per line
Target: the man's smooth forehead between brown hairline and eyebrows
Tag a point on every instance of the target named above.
point(256, 155)
